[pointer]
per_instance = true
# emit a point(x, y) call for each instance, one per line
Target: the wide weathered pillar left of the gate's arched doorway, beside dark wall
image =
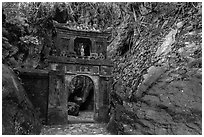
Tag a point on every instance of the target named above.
point(57, 99)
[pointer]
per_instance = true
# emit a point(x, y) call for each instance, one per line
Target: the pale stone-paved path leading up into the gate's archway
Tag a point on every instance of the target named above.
point(80, 125)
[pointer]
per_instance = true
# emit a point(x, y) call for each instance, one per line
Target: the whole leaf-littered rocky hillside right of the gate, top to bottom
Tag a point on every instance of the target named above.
point(158, 88)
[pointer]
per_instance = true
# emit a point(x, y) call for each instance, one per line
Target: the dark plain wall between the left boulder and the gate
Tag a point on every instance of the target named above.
point(36, 86)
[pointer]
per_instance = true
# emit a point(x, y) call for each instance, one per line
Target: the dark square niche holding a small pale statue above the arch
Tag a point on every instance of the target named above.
point(86, 43)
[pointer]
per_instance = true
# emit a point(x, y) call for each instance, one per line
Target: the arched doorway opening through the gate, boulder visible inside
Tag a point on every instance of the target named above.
point(82, 97)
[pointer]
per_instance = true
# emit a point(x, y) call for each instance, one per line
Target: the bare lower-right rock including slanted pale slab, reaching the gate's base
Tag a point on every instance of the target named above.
point(166, 103)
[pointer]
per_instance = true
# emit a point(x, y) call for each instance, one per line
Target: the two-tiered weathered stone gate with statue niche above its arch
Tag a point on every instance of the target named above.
point(79, 53)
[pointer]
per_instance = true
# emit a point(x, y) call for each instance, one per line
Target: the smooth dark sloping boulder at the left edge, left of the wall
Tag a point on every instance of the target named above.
point(18, 114)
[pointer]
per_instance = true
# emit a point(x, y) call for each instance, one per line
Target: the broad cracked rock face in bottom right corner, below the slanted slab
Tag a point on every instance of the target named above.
point(171, 106)
